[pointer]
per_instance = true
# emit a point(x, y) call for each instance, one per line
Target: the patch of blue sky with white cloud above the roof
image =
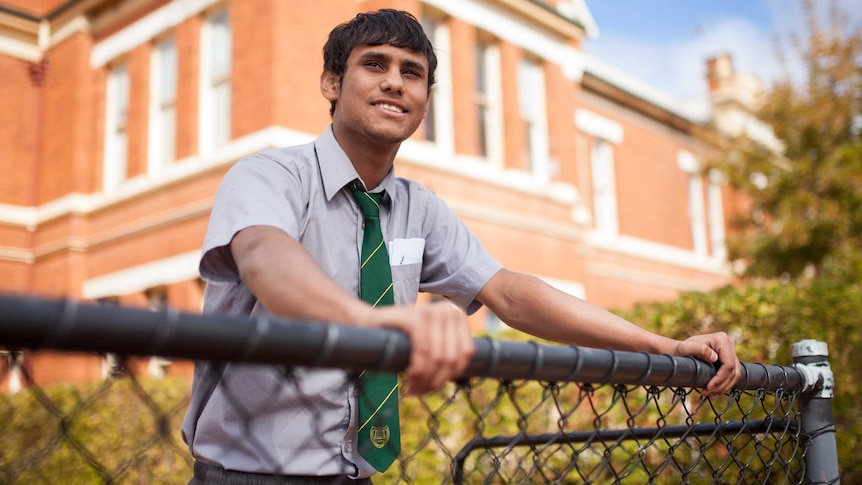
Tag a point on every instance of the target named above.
point(666, 42)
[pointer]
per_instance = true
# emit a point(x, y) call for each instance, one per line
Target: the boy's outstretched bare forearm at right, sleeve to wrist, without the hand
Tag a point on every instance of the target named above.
point(532, 306)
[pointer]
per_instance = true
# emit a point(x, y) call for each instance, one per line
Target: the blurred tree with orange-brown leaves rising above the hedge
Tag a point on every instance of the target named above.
point(807, 200)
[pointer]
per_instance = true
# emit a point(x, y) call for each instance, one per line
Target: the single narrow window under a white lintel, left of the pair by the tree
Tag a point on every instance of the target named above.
point(604, 187)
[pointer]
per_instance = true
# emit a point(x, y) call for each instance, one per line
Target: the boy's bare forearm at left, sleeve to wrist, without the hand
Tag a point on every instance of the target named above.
point(288, 282)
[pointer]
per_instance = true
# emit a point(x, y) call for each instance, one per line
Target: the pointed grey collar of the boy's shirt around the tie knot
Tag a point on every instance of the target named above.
point(336, 169)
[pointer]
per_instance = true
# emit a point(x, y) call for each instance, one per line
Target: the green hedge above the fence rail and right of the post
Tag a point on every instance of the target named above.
point(767, 318)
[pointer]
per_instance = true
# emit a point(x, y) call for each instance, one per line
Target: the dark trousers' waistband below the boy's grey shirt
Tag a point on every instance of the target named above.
point(206, 474)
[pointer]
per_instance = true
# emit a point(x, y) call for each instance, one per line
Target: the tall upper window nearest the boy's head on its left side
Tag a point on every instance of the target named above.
point(216, 60)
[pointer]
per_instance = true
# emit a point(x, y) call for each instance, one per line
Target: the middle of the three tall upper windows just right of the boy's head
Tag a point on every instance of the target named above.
point(488, 102)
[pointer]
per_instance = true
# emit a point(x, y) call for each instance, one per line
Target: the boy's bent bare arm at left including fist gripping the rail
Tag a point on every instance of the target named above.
point(289, 283)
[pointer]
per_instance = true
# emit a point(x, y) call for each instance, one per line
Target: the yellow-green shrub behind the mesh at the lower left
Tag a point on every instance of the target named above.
point(119, 430)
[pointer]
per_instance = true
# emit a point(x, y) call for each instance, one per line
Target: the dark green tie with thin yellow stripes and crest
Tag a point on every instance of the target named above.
point(379, 429)
